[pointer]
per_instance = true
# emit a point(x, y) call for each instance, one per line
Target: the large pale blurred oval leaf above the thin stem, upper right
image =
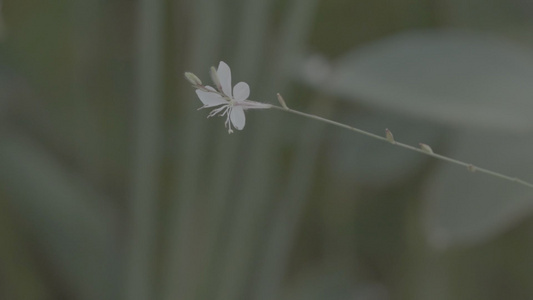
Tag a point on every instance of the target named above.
point(451, 77)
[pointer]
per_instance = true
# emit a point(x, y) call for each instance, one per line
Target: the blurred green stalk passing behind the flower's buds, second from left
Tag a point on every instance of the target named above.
point(180, 270)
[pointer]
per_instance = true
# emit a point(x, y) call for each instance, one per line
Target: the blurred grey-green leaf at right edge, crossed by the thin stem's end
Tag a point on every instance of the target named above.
point(466, 207)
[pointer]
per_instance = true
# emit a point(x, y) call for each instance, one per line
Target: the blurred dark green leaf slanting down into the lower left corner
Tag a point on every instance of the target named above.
point(72, 223)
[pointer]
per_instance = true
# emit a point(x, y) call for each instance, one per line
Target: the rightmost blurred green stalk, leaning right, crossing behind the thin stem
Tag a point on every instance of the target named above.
point(258, 174)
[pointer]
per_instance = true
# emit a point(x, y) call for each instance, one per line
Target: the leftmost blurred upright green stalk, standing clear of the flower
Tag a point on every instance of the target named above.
point(140, 272)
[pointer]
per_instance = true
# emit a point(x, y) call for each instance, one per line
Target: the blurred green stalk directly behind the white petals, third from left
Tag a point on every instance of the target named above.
point(247, 60)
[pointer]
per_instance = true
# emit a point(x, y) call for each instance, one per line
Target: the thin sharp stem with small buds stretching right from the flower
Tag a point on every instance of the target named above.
point(470, 167)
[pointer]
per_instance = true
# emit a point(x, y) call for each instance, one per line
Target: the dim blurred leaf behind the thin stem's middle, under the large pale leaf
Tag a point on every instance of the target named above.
point(366, 161)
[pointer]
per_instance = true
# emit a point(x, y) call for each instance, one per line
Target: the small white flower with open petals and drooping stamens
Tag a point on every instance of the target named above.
point(232, 105)
